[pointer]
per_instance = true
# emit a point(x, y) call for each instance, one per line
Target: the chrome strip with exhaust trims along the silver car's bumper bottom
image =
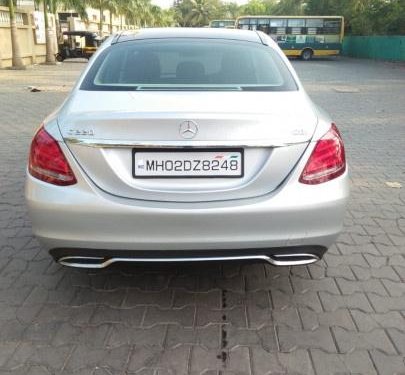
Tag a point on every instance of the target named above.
point(275, 260)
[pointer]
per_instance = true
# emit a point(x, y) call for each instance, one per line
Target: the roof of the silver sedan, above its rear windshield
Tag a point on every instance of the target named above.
point(185, 32)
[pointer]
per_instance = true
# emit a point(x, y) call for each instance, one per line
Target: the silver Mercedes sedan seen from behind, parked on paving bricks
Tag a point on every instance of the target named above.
point(187, 145)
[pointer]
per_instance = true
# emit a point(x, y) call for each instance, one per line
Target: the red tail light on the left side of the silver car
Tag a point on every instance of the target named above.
point(47, 161)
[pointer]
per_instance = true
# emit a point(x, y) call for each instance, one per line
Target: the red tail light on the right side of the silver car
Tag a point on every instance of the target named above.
point(327, 160)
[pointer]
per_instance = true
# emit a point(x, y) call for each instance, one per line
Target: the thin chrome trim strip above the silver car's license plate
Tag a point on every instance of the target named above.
point(100, 143)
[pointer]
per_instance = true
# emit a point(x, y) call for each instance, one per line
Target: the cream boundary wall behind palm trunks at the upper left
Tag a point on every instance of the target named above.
point(32, 53)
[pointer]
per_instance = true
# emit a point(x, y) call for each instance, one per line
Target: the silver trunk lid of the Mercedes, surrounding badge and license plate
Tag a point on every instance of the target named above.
point(103, 128)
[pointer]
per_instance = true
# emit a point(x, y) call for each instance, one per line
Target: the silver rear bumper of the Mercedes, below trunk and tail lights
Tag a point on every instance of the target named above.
point(84, 217)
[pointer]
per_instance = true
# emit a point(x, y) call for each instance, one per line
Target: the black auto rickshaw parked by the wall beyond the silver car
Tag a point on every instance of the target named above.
point(78, 44)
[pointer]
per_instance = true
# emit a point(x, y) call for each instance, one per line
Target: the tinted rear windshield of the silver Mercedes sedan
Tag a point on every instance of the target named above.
point(189, 64)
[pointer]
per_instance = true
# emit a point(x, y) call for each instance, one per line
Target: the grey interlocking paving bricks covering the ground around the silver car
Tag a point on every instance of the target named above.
point(345, 314)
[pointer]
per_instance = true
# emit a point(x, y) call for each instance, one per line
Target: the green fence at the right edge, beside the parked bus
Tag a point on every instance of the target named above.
point(375, 47)
